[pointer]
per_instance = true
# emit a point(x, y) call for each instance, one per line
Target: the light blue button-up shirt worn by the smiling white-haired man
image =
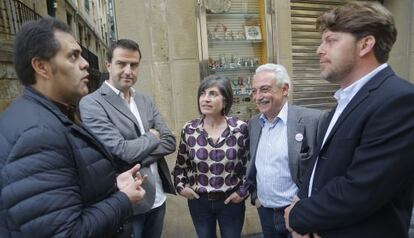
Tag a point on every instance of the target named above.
point(275, 187)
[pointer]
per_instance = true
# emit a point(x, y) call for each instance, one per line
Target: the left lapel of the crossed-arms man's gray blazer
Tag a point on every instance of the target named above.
point(117, 102)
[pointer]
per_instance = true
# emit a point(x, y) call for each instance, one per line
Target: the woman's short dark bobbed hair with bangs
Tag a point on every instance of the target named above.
point(224, 86)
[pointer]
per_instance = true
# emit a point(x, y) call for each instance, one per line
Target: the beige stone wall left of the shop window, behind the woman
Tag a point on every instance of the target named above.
point(167, 34)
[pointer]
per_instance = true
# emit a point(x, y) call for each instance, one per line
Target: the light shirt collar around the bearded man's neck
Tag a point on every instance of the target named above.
point(346, 94)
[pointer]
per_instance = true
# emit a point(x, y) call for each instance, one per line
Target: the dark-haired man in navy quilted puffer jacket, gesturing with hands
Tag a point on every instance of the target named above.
point(56, 178)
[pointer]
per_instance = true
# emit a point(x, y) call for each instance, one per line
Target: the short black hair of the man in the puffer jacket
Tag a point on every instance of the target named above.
point(36, 39)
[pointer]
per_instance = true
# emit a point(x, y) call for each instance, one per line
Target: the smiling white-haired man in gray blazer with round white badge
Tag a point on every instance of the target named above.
point(282, 141)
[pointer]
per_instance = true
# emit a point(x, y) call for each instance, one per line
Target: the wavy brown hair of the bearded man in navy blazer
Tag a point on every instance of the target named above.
point(363, 19)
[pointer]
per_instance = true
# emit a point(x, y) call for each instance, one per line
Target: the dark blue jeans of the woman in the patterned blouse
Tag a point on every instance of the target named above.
point(205, 214)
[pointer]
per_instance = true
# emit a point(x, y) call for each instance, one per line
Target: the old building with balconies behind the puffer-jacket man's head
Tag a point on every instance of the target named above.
point(88, 20)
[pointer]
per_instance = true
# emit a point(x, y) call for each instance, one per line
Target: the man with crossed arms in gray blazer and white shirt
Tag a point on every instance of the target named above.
point(130, 125)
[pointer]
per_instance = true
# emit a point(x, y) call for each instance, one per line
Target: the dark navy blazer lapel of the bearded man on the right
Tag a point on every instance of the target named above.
point(362, 94)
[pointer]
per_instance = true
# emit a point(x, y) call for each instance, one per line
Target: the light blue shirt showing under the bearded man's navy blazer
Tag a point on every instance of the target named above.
point(344, 96)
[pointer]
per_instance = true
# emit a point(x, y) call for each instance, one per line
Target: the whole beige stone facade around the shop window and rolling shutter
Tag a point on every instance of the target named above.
point(170, 70)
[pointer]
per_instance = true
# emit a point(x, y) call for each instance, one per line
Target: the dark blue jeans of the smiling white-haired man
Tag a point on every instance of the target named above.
point(273, 223)
